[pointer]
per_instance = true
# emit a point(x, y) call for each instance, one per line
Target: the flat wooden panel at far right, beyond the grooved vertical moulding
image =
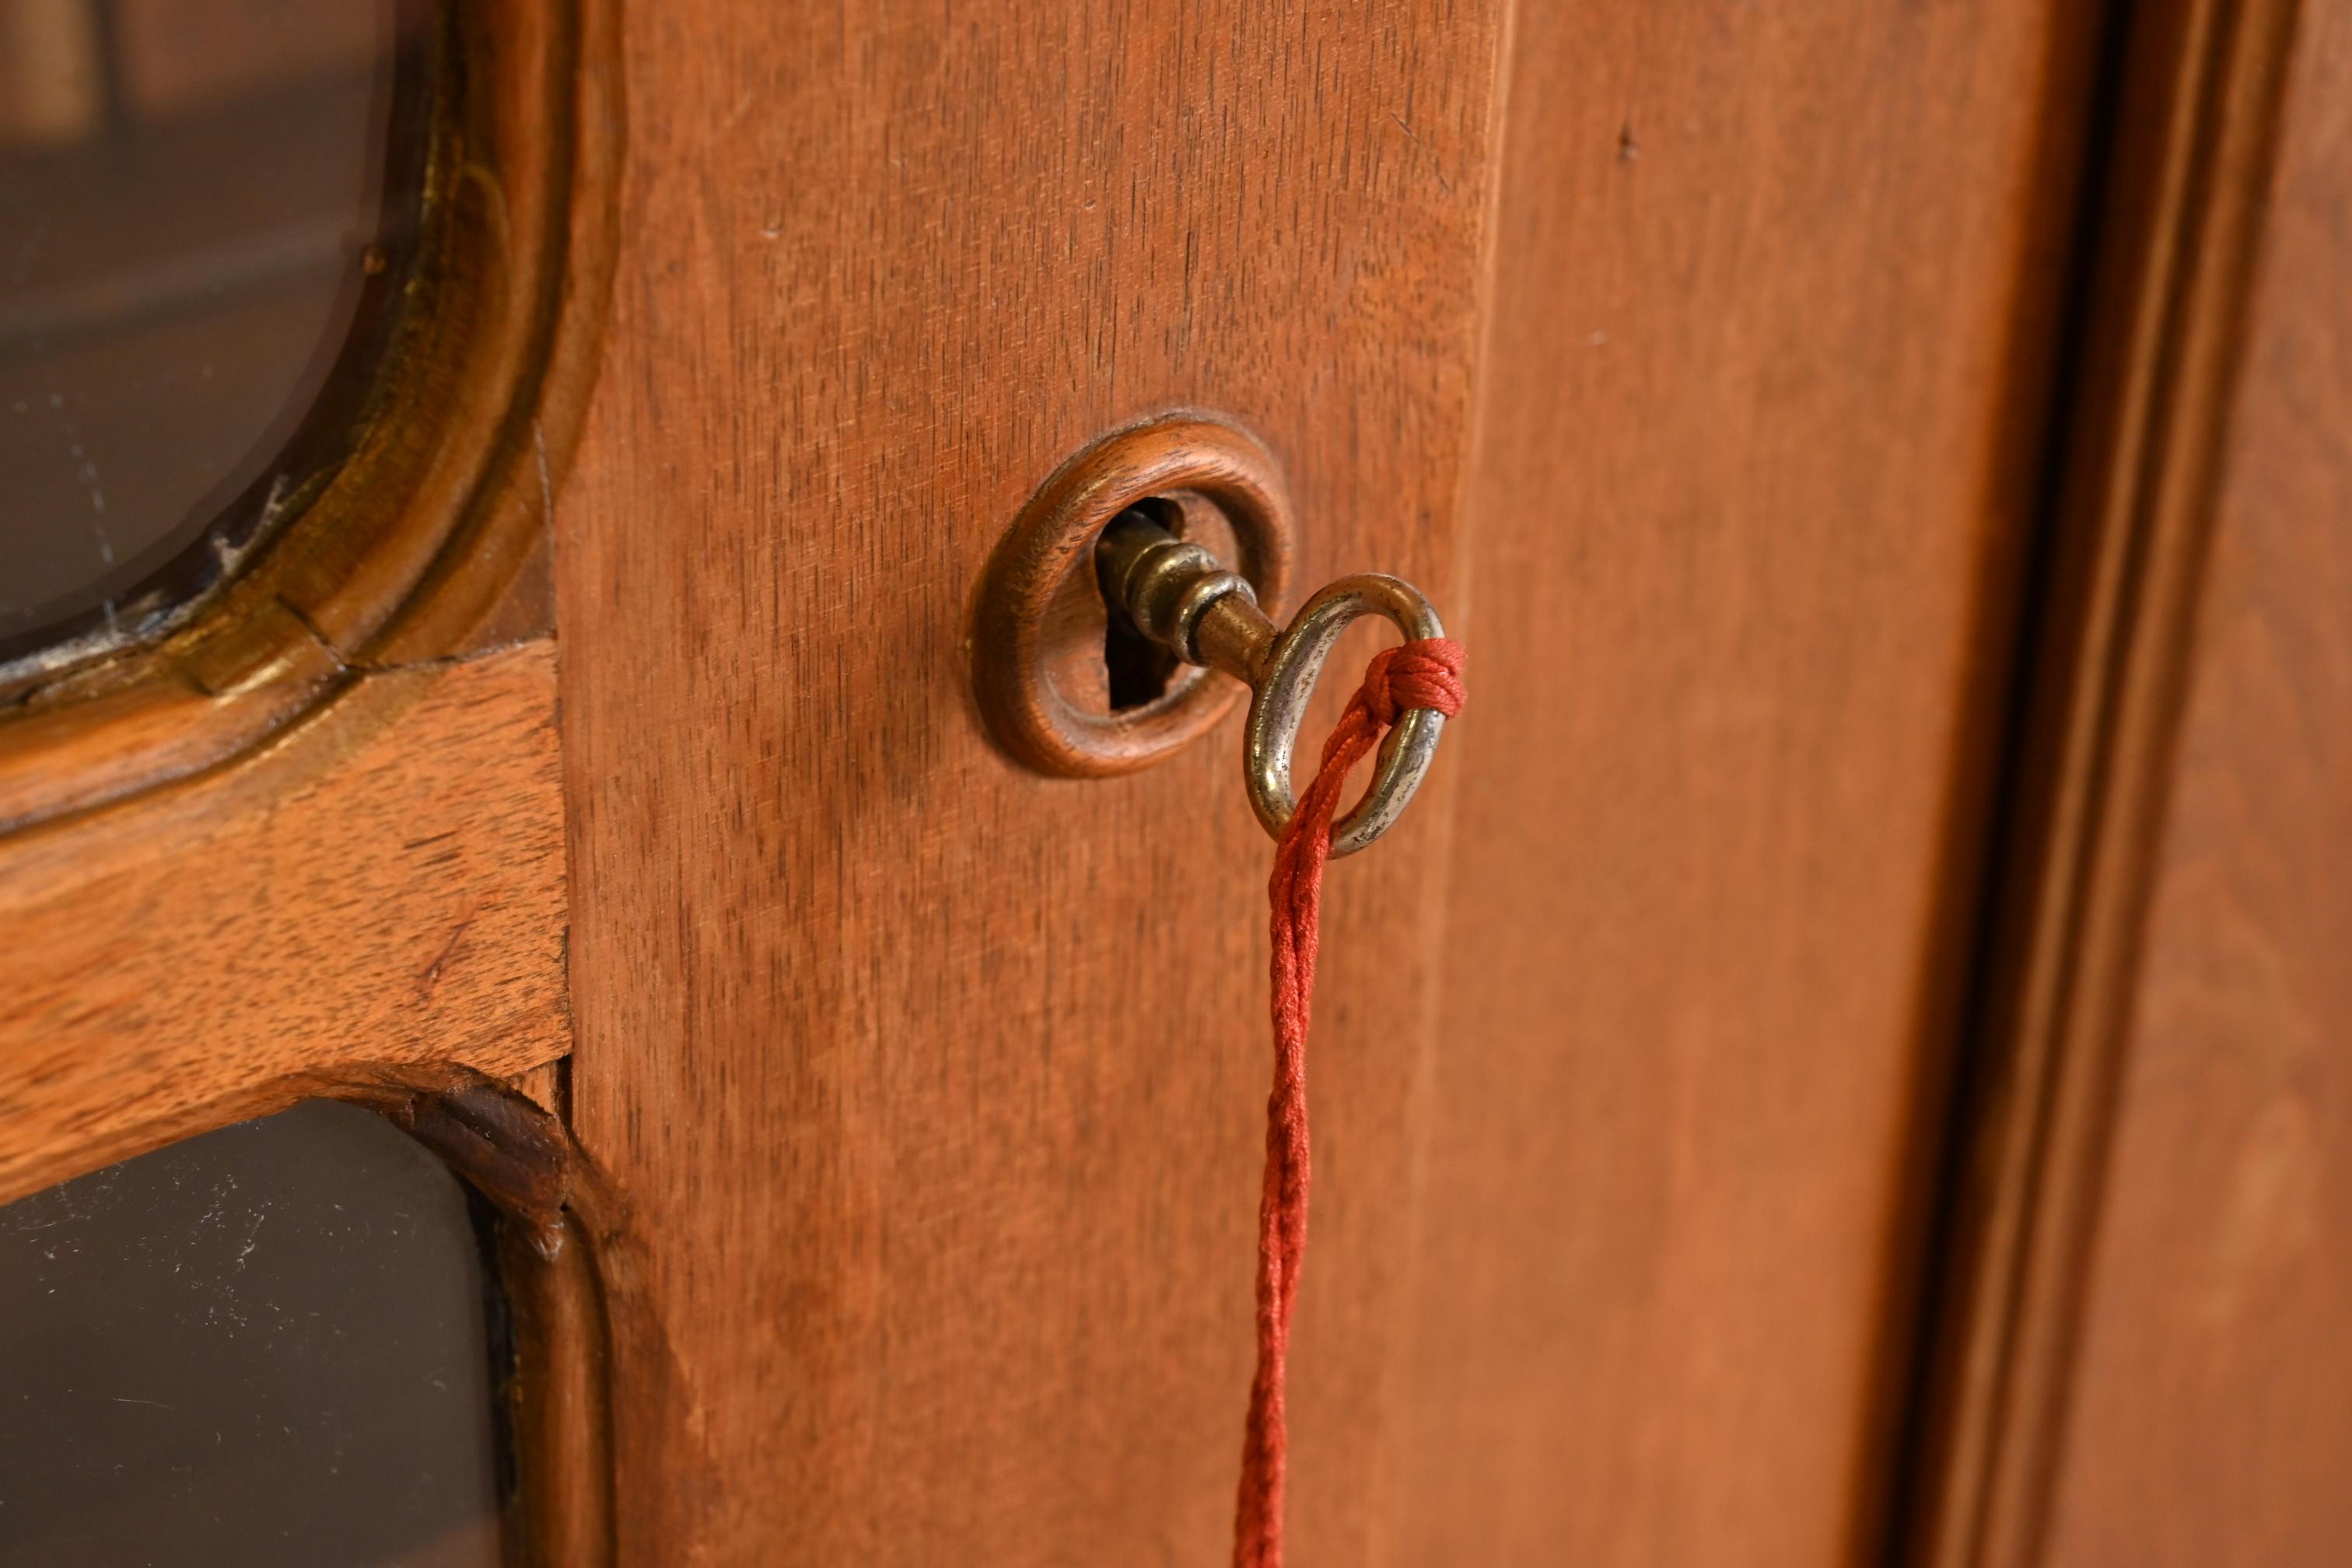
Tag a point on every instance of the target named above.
point(2210, 1412)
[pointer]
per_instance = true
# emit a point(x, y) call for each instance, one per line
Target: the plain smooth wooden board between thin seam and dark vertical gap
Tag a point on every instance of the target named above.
point(1760, 434)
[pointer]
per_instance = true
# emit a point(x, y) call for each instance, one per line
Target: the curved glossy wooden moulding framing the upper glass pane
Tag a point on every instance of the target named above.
point(413, 547)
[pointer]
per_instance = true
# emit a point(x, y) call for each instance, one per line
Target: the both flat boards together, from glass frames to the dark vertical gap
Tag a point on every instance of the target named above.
point(1697, 363)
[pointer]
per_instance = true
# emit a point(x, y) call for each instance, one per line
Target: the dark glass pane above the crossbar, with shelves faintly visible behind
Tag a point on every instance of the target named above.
point(206, 210)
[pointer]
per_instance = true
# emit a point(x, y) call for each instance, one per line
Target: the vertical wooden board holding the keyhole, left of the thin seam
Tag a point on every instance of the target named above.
point(940, 1087)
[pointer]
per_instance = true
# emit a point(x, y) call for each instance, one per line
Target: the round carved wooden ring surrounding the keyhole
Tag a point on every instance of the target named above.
point(1038, 636)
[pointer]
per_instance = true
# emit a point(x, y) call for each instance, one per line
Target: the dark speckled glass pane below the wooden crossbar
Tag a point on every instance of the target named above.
point(262, 1346)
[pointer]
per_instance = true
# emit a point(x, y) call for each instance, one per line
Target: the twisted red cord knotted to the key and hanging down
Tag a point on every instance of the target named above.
point(1426, 674)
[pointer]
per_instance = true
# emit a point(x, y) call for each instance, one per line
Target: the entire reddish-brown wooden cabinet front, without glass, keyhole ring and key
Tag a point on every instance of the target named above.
point(1810, 422)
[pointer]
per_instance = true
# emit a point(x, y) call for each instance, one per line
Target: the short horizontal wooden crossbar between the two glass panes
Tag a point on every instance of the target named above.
point(385, 885)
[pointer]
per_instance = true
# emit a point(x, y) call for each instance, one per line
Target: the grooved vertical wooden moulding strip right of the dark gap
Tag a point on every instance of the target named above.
point(2186, 189)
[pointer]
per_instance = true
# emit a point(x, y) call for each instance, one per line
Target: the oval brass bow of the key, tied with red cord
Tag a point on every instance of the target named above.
point(1281, 704)
